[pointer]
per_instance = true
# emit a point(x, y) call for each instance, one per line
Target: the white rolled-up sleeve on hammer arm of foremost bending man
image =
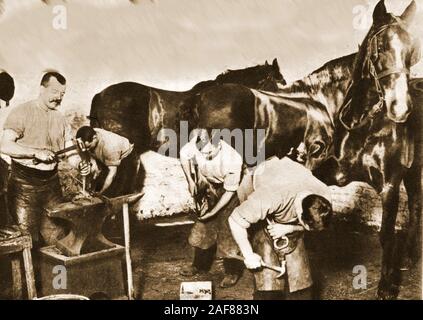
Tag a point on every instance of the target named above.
point(258, 205)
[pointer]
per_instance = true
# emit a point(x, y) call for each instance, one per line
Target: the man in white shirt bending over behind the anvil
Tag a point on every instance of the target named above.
point(114, 152)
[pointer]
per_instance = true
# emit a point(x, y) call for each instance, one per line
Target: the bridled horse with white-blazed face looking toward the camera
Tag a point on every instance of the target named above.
point(377, 132)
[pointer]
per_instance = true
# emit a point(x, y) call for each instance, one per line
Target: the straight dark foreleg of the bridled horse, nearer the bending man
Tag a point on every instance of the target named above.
point(390, 275)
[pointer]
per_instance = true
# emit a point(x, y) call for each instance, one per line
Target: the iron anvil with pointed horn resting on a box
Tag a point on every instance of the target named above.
point(86, 218)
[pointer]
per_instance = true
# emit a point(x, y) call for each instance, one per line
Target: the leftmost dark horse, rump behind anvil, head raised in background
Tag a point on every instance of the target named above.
point(140, 112)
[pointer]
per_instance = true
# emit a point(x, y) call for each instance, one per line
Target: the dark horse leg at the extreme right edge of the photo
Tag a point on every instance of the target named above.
point(413, 185)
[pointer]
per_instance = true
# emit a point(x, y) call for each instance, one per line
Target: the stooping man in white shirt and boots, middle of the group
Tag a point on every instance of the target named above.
point(217, 171)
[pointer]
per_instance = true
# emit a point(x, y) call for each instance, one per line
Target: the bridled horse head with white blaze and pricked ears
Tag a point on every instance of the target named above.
point(382, 70)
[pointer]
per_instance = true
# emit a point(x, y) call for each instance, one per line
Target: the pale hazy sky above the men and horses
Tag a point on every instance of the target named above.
point(175, 43)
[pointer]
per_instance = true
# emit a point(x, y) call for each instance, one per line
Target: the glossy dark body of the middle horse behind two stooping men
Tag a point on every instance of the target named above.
point(286, 122)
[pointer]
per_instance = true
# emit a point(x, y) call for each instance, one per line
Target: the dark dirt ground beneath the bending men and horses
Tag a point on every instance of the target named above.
point(159, 253)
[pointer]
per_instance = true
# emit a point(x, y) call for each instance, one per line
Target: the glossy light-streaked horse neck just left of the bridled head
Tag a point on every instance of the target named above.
point(327, 85)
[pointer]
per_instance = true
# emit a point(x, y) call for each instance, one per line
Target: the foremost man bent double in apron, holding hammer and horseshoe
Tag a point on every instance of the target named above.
point(286, 200)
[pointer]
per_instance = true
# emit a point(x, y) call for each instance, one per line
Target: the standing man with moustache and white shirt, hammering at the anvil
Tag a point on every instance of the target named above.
point(32, 133)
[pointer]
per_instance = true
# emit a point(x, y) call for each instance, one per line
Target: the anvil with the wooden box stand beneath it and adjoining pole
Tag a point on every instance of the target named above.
point(93, 264)
